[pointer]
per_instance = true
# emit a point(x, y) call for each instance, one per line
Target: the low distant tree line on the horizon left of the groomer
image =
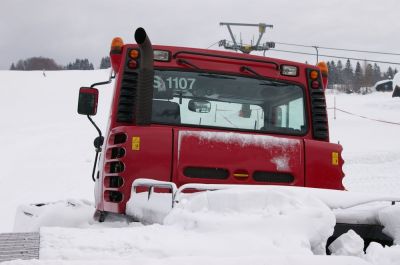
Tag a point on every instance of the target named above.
point(42, 63)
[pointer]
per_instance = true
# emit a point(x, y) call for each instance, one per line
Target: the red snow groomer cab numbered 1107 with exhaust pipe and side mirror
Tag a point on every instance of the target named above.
point(186, 115)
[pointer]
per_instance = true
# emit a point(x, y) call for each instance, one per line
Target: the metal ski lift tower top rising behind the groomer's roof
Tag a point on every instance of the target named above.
point(234, 45)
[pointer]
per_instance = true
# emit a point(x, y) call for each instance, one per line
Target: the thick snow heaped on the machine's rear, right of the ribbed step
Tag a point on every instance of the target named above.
point(224, 223)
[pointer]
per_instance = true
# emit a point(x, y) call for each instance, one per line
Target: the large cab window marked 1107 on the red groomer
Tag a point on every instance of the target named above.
point(229, 102)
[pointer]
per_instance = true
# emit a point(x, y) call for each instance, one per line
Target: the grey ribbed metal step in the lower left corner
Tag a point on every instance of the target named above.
point(19, 246)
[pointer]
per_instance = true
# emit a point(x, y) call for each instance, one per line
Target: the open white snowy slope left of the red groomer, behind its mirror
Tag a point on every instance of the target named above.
point(47, 148)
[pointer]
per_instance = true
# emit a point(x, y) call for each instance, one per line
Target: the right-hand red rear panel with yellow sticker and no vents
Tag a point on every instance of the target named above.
point(323, 165)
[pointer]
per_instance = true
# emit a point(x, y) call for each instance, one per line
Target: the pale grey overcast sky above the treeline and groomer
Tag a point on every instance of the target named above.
point(70, 29)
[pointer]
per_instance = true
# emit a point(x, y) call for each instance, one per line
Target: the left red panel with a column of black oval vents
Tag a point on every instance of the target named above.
point(148, 154)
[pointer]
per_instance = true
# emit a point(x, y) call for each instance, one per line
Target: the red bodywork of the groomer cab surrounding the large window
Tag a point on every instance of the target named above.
point(164, 152)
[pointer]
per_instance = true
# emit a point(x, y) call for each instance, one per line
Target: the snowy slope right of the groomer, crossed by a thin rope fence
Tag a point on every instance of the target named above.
point(371, 148)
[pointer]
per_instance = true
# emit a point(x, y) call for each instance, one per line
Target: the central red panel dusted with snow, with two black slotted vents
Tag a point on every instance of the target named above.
point(237, 152)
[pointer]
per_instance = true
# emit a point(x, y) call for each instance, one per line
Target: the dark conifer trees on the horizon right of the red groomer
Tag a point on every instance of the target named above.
point(353, 79)
